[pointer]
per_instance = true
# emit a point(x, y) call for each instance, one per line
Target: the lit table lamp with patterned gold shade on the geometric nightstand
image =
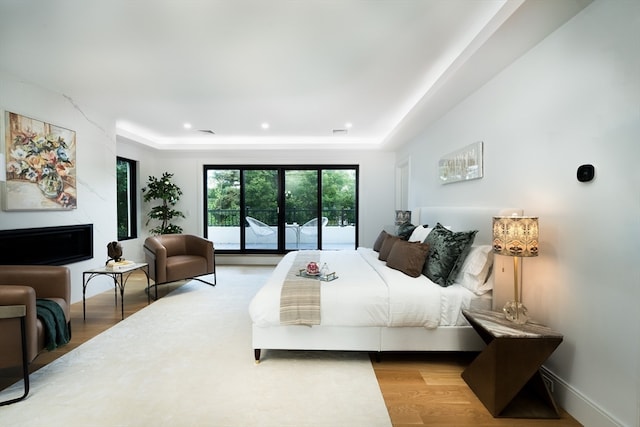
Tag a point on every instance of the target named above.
point(515, 236)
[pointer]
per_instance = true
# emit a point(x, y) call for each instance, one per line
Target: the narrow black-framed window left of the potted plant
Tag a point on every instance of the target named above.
point(126, 198)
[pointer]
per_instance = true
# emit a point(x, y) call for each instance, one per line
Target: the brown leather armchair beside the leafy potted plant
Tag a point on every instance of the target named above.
point(173, 257)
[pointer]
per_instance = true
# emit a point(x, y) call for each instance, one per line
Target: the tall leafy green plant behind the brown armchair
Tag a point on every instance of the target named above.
point(168, 193)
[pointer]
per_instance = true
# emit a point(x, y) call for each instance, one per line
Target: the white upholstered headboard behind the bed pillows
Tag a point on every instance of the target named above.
point(462, 219)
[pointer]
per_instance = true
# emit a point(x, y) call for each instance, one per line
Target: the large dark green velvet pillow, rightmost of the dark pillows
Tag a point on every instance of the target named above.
point(447, 251)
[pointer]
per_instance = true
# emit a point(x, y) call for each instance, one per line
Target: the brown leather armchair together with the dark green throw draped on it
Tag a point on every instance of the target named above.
point(42, 295)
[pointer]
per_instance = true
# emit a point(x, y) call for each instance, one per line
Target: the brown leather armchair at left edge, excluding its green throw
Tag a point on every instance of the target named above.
point(20, 285)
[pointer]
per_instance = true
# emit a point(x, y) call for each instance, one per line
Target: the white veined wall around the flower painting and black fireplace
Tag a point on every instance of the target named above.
point(95, 168)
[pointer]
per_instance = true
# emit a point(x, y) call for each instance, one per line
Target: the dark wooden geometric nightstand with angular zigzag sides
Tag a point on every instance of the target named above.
point(505, 376)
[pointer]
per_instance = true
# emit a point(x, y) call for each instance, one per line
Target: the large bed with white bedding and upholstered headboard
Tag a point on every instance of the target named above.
point(372, 307)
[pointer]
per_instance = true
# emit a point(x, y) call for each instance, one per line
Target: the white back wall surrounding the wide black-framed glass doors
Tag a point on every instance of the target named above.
point(376, 181)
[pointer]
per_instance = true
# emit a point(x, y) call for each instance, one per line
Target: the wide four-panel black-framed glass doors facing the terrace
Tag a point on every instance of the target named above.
point(273, 209)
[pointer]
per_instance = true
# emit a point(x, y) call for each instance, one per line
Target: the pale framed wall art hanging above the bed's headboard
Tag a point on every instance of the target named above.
point(462, 165)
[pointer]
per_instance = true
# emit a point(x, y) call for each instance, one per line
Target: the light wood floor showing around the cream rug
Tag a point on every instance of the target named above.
point(419, 389)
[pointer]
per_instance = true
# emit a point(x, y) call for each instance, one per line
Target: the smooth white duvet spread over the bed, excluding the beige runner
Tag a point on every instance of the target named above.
point(367, 293)
